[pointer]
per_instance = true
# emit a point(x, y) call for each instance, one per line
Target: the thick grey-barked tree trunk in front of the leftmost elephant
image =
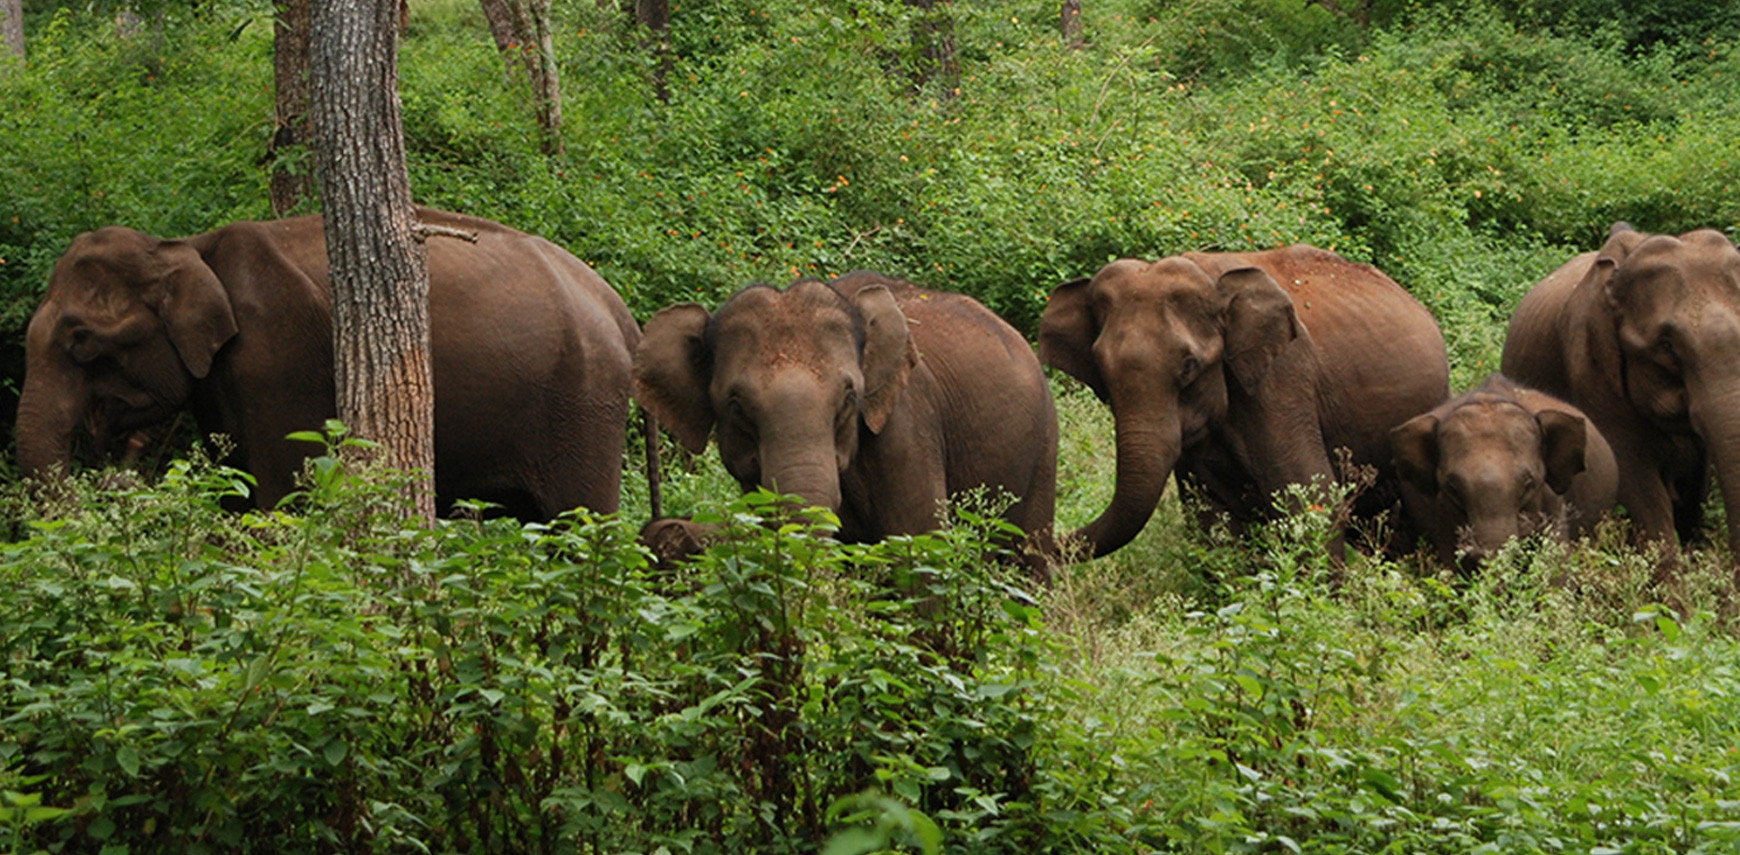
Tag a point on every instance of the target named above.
point(378, 266)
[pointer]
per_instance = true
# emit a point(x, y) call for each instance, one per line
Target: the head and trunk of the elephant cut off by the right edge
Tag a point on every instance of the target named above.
point(1671, 328)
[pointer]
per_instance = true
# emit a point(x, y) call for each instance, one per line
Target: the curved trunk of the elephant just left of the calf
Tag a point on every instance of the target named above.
point(1149, 443)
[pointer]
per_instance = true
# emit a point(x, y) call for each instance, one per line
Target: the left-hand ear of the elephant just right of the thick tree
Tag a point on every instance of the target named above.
point(673, 372)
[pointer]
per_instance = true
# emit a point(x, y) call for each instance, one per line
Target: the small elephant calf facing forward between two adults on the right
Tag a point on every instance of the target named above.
point(1502, 462)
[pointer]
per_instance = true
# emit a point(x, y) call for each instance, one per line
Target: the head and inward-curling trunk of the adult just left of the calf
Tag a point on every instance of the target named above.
point(1161, 344)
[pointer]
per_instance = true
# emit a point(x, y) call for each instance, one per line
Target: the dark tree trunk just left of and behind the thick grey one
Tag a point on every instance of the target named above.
point(288, 149)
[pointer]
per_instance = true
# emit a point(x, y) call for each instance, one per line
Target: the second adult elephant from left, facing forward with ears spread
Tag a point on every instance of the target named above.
point(867, 394)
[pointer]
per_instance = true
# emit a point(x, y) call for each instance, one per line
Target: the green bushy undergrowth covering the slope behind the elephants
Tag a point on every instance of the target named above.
point(1464, 147)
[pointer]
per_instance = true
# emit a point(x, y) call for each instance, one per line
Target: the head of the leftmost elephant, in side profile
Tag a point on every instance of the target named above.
point(128, 328)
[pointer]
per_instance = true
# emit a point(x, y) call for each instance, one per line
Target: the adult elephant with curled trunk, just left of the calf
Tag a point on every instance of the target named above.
point(1245, 372)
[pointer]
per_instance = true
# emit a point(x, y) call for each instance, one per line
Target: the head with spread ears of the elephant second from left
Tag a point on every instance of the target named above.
point(786, 380)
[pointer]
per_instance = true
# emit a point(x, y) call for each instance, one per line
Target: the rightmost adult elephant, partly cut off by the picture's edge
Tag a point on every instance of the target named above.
point(1645, 339)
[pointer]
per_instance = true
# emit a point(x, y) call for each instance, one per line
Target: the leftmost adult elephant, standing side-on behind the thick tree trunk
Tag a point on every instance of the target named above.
point(532, 354)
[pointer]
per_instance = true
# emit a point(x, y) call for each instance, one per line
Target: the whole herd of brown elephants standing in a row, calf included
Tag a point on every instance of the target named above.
point(1240, 374)
